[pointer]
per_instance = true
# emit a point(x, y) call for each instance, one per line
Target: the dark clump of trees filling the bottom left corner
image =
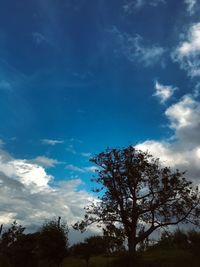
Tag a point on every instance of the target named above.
point(46, 247)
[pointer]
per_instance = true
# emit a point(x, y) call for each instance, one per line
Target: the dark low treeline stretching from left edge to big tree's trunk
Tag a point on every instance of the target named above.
point(49, 246)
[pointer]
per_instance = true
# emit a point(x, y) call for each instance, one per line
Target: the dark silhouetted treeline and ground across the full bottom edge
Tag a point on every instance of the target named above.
point(49, 247)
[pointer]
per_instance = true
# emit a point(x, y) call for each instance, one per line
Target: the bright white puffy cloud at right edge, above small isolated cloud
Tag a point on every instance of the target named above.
point(187, 54)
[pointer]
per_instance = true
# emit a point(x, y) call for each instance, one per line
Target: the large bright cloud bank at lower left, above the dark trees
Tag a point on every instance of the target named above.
point(28, 195)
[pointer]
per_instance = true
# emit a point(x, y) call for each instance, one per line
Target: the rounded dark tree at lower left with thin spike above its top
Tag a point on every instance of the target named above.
point(53, 242)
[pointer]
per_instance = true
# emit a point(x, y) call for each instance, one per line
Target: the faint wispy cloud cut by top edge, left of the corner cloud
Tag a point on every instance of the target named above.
point(138, 4)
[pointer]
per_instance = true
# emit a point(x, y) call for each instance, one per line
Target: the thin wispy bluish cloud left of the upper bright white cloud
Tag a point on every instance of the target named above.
point(134, 48)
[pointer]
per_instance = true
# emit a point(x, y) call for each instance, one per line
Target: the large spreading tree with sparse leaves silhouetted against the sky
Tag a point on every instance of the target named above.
point(138, 195)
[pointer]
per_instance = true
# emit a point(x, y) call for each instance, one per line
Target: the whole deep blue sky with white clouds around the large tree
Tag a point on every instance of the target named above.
point(79, 76)
